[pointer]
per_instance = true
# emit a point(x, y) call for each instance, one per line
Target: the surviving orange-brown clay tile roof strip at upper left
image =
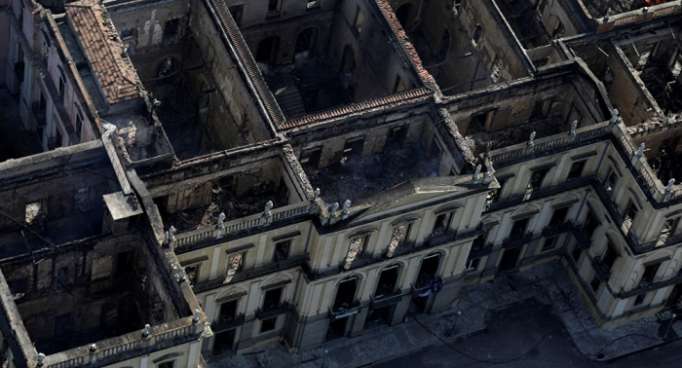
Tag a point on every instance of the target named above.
point(100, 42)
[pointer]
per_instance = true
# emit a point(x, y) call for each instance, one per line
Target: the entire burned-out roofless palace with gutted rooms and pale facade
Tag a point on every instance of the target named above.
point(185, 179)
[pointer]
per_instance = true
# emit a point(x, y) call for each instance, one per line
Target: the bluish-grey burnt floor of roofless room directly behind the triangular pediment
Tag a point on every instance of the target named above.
point(359, 178)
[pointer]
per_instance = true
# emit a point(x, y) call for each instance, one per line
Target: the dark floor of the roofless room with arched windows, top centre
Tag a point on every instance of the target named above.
point(305, 87)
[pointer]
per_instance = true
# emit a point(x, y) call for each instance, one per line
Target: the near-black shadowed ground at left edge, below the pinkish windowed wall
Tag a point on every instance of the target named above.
point(15, 142)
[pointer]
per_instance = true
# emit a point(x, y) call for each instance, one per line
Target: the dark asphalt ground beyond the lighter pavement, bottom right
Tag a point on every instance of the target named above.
point(527, 336)
